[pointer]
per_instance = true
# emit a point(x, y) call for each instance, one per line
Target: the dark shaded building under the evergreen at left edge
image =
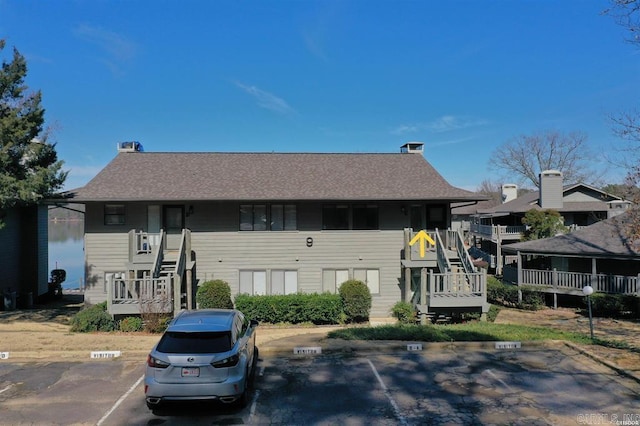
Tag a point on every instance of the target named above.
point(24, 260)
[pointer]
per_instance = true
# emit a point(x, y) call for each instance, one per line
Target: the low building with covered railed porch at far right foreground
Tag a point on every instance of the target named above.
point(604, 255)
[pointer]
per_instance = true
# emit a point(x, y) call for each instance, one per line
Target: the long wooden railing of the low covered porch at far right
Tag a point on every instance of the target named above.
point(575, 281)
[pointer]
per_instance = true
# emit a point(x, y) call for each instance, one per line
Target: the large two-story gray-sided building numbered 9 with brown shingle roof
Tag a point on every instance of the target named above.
point(267, 223)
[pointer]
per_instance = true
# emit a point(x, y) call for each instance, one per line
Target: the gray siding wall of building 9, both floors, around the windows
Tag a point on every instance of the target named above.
point(222, 251)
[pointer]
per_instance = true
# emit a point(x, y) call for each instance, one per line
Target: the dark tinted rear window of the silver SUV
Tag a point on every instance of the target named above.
point(174, 342)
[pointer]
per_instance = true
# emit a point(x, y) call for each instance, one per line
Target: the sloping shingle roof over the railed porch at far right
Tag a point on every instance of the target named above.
point(609, 238)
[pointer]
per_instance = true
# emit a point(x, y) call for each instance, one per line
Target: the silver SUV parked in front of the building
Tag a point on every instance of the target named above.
point(206, 354)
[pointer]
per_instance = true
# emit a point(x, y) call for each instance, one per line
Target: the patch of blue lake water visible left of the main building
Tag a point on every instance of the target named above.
point(66, 251)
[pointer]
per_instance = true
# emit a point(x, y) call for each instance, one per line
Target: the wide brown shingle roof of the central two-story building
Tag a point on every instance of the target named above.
point(143, 176)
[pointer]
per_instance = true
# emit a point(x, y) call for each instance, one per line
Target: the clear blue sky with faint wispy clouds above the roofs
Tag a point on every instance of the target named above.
point(322, 76)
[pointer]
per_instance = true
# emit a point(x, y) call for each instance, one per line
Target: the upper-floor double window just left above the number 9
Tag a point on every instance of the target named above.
point(280, 217)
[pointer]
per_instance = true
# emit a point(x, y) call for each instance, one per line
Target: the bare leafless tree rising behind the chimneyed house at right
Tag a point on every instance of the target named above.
point(523, 157)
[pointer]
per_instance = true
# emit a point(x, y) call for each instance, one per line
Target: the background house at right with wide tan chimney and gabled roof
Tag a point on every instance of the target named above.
point(579, 204)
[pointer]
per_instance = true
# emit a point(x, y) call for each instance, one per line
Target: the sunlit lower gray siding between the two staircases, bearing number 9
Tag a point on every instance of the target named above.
point(221, 255)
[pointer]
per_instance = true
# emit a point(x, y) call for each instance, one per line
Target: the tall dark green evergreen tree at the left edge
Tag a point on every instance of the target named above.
point(29, 166)
